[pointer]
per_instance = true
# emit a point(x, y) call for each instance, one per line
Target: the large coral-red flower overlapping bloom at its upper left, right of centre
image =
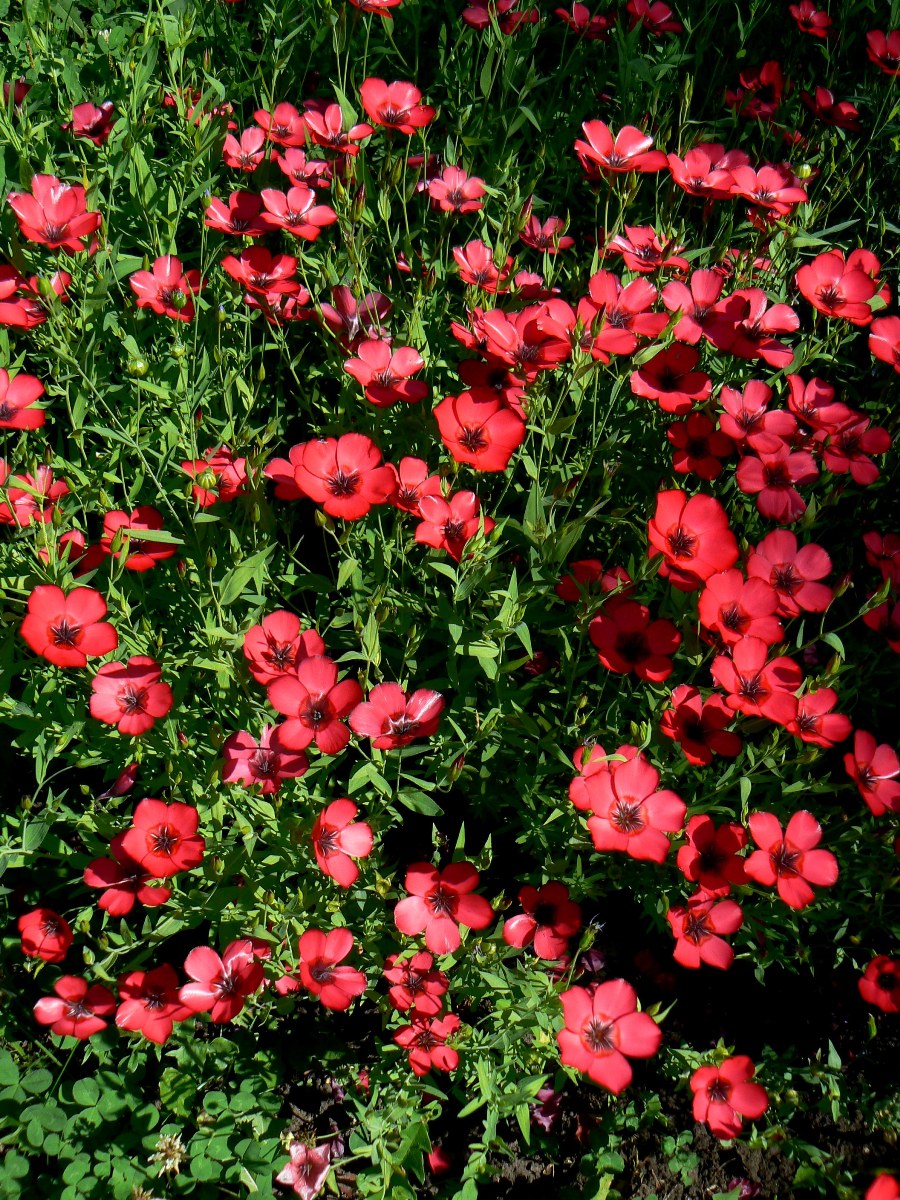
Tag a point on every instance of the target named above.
point(629, 815)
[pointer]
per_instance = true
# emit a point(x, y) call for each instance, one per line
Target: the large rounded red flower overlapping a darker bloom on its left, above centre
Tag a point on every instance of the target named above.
point(345, 476)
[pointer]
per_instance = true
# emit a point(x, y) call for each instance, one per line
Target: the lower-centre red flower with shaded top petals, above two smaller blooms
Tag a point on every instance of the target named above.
point(440, 903)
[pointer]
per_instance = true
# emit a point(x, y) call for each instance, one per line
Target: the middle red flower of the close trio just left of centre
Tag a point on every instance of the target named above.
point(315, 704)
